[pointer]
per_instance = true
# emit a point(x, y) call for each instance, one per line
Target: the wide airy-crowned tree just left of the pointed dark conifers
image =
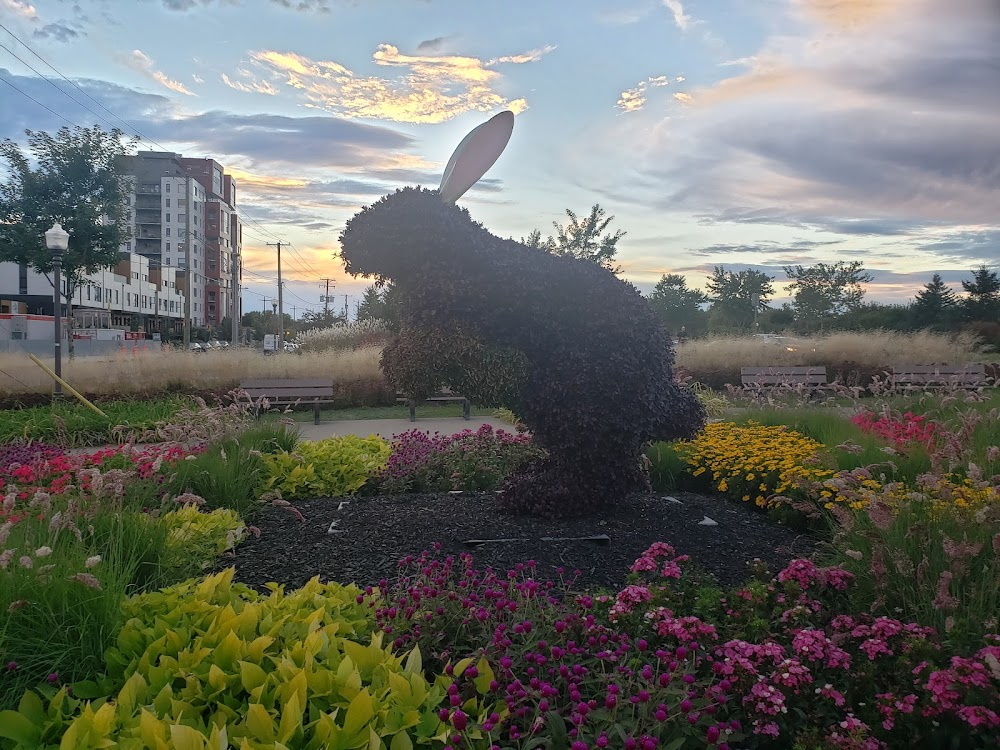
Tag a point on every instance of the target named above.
point(825, 291)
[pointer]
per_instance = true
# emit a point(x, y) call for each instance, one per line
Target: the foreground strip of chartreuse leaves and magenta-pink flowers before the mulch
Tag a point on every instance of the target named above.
point(448, 656)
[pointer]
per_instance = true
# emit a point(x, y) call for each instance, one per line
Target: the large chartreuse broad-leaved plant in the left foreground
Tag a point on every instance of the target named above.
point(213, 664)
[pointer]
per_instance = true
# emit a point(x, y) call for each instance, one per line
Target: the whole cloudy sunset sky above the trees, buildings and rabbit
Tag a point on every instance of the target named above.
point(746, 133)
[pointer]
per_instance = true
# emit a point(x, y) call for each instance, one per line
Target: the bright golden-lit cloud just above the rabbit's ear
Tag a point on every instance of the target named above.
point(428, 89)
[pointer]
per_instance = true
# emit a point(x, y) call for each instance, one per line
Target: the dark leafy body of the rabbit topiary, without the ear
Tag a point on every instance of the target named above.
point(576, 352)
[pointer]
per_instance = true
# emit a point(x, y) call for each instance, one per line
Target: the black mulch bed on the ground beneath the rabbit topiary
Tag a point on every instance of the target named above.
point(372, 534)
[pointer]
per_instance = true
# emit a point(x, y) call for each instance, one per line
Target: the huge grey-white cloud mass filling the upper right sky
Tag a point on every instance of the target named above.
point(890, 128)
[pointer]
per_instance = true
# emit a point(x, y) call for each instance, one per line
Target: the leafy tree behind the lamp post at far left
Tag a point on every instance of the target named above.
point(78, 183)
